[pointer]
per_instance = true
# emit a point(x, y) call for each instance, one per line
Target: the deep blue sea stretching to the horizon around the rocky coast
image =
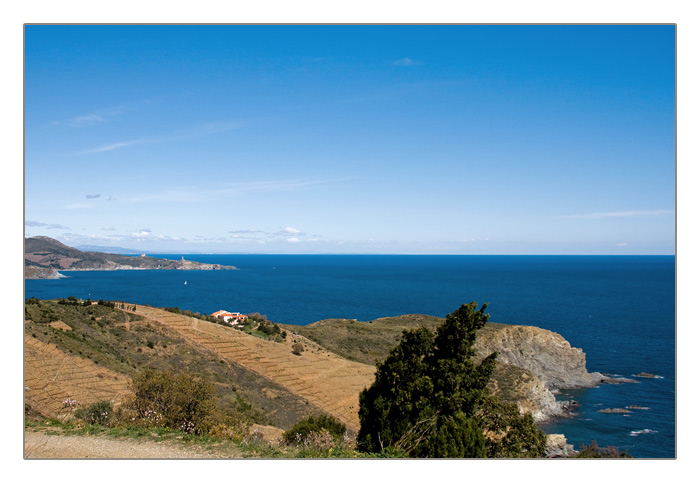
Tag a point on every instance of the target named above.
point(619, 309)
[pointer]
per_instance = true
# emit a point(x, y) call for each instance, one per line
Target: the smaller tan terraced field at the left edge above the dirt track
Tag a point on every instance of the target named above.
point(51, 376)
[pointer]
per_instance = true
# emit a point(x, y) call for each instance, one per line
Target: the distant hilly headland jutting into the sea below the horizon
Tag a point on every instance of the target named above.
point(44, 257)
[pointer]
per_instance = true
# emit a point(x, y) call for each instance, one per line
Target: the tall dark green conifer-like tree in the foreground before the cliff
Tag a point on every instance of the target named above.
point(427, 392)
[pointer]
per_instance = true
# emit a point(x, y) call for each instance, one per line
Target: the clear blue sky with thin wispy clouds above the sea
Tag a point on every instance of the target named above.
point(352, 139)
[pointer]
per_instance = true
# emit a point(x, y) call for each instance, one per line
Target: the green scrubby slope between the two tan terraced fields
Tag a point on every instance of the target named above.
point(125, 343)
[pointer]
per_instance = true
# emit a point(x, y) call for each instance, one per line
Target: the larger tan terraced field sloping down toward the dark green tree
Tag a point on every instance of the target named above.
point(320, 377)
